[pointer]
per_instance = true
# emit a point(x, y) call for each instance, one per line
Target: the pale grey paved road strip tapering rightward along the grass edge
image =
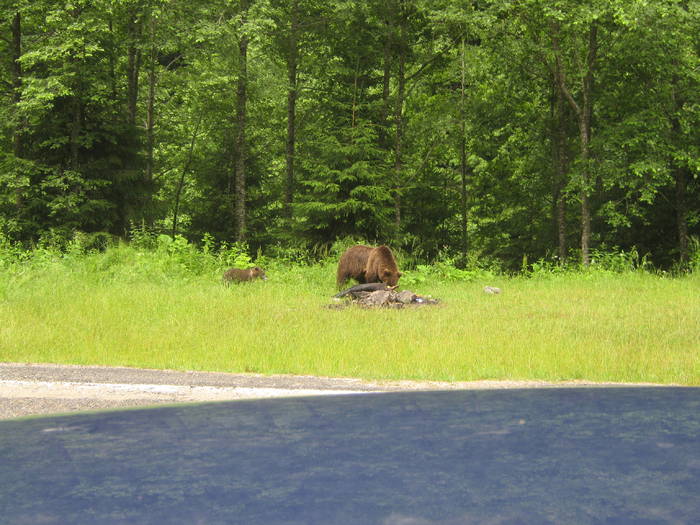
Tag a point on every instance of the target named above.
point(32, 389)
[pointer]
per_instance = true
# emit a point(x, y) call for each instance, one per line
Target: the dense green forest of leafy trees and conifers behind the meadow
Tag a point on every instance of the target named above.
point(503, 130)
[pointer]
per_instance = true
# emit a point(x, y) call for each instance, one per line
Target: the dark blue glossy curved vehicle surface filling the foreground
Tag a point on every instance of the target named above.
point(538, 455)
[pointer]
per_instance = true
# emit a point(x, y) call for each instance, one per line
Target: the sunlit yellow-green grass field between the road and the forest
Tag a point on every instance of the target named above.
point(619, 328)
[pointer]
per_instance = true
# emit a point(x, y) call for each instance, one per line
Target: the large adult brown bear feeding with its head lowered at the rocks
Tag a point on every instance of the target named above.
point(368, 265)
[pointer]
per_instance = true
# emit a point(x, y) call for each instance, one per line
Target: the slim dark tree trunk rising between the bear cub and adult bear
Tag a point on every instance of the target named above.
point(292, 64)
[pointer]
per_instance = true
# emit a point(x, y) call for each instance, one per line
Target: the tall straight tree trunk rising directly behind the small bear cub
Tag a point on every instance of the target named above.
point(240, 144)
